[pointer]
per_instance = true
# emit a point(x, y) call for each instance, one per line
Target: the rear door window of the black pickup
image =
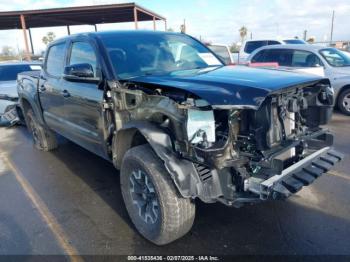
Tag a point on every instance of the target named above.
point(55, 60)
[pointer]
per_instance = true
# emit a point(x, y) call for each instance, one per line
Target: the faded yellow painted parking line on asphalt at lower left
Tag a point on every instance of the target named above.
point(43, 210)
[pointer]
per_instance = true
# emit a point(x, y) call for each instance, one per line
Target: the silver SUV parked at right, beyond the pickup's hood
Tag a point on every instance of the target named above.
point(335, 63)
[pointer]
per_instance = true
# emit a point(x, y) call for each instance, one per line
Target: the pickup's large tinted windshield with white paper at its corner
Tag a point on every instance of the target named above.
point(135, 55)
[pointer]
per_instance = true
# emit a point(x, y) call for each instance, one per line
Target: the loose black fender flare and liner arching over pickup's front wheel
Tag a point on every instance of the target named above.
point(182, 171)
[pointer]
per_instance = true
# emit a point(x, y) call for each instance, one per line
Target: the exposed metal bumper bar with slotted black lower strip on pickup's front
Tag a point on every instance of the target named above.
point(293, 178)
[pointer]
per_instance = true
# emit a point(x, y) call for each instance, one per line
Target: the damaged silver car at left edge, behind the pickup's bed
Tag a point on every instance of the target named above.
point(8, 89)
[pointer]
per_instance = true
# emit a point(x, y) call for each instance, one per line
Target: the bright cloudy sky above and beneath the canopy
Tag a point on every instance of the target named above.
point(217, 21)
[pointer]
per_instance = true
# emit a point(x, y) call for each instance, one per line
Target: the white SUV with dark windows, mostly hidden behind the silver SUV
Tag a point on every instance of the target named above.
point(250, 46)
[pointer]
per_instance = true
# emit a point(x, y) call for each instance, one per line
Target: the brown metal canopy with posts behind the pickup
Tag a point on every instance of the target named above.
point(81, 15)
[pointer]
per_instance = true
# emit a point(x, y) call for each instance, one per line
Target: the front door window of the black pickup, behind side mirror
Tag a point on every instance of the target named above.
point(83, 53)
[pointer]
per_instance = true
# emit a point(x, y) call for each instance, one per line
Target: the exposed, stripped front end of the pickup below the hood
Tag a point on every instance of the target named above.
point(227, 146)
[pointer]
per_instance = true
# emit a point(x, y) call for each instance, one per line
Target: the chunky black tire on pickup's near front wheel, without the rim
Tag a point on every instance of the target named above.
point(176, 213)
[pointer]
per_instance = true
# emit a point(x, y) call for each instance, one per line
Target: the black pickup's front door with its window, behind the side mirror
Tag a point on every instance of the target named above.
point(84, 101)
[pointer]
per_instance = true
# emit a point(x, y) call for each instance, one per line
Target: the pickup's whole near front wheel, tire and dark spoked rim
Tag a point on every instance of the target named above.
point(155, 207)
